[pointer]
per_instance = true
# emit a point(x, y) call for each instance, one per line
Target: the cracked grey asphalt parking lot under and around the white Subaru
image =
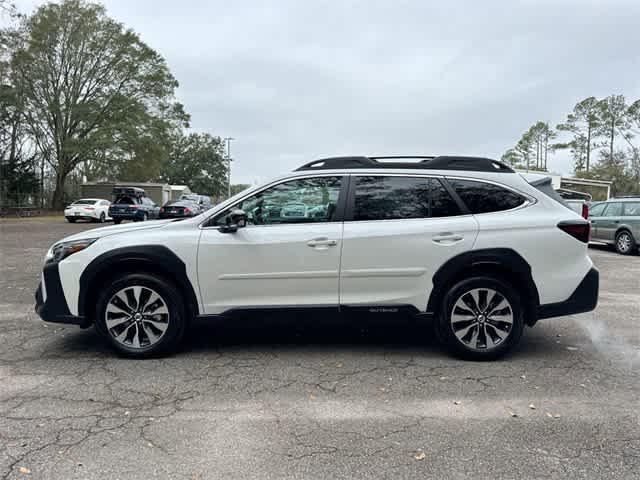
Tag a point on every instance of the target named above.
point(316, 397)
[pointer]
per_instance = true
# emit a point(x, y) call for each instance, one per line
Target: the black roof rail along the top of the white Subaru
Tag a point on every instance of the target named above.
point(477, 164)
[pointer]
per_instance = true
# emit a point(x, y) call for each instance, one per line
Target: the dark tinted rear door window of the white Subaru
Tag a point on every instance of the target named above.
point(387, 198)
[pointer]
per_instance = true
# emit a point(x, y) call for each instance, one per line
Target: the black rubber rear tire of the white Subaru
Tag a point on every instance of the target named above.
point(458, 347)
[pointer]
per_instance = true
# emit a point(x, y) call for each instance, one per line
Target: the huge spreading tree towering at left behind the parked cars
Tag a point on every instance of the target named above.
point(90, 86)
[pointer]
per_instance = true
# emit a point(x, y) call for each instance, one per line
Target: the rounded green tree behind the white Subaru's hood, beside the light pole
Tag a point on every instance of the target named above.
point(197, 160)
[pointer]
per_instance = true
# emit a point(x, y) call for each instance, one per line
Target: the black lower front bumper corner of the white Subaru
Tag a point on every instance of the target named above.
point(52, 305)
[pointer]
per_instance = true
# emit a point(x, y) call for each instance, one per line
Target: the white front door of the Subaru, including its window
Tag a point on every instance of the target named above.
point(287, 255)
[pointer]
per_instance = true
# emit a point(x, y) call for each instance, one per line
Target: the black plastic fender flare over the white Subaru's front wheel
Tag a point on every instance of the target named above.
point(153, 258)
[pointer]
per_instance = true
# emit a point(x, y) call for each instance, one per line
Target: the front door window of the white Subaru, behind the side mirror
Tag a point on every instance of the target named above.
point(304, 200)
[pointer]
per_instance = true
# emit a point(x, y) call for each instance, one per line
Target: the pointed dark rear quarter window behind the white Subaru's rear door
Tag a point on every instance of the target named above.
point(482, 197)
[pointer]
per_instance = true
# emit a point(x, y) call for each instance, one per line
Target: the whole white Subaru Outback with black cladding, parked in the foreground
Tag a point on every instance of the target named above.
point(465, 242)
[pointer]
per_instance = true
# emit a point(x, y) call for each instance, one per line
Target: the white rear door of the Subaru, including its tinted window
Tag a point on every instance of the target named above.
point(398, 230)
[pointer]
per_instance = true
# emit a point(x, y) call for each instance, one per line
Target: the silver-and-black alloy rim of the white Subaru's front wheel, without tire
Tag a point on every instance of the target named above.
point(137, 317)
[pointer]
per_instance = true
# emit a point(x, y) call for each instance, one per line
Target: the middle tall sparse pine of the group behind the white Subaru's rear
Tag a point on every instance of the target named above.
point(583, 123)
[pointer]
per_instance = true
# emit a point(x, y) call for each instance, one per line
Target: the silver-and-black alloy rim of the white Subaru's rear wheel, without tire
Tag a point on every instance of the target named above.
point(481, 319)
